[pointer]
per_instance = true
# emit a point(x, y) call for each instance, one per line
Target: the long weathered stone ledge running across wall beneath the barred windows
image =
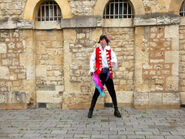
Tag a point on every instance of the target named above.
point(92, 21)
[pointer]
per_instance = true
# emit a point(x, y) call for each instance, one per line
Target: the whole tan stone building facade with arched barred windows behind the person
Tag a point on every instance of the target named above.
point(45, 47)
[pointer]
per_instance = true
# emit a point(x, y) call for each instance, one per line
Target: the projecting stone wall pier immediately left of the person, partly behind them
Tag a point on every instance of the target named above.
point(79, 44)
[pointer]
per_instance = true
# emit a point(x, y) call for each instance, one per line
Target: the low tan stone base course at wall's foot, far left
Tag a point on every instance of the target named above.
point(13, 106)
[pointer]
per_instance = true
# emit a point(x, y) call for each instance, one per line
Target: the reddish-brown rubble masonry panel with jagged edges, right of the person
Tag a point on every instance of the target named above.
point(156, 71)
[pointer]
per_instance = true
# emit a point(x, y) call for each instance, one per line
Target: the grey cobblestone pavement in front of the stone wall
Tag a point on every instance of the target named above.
point(44, 123)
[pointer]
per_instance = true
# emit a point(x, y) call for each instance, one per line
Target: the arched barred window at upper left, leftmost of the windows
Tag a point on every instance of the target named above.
point(49, 11)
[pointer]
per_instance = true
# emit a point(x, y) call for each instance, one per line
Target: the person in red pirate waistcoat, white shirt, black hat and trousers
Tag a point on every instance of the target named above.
point(104, 59)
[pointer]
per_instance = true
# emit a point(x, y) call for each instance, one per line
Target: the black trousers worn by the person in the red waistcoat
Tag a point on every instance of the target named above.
point(110, 87)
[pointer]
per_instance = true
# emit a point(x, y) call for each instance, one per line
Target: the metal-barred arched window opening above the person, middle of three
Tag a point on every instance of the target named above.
point(118, 9)
